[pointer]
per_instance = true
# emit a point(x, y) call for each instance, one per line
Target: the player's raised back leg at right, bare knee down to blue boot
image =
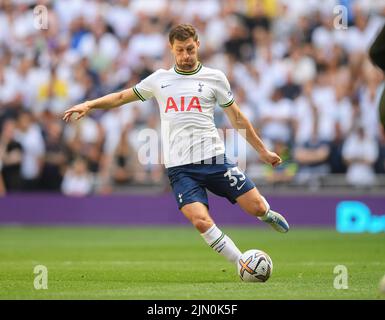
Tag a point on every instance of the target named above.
point(255, 204)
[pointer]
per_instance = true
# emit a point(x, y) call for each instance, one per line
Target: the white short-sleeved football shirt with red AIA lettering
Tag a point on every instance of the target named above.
point(186, 103)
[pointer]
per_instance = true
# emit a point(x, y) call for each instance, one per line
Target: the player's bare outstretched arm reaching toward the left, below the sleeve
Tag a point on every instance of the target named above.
point(109, 101)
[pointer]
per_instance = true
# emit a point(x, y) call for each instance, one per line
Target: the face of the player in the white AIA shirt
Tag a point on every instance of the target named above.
point(185, 53)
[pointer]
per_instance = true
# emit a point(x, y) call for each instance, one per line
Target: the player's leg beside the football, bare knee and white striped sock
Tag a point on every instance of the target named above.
point(199, 216)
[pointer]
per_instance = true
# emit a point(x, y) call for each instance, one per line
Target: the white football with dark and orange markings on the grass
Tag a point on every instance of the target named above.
point(255, 266)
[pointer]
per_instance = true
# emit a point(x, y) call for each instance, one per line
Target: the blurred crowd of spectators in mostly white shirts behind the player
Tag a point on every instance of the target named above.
point(303, 79)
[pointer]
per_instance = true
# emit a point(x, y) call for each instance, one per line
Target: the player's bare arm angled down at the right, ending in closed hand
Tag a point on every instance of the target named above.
point(245, 128)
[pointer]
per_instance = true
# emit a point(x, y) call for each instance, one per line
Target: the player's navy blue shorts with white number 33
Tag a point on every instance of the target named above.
point(223, 178)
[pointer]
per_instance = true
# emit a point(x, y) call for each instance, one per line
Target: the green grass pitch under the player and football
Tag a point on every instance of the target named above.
point(175, 263)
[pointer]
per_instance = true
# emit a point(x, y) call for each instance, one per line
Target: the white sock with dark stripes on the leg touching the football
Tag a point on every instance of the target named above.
point(221, 243)
